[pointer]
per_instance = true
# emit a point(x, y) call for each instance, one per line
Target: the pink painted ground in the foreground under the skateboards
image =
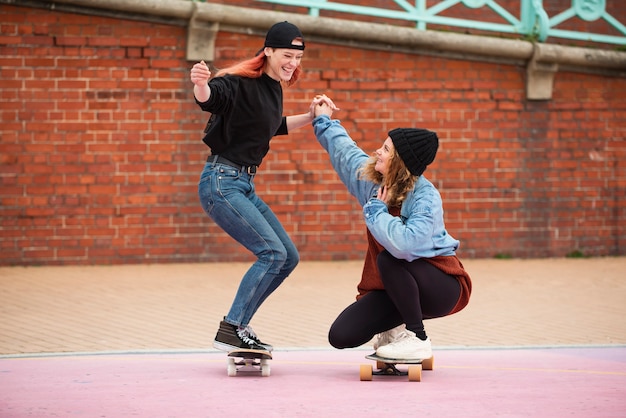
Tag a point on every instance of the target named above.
point(550, 382)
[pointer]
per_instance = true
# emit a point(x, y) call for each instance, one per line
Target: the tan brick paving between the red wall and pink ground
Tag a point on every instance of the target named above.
point(178, 306)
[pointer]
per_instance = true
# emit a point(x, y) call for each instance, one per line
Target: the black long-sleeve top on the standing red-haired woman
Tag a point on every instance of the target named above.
point(246, 114)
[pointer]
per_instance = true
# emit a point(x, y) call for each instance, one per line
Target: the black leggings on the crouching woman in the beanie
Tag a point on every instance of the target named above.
point(414, 291)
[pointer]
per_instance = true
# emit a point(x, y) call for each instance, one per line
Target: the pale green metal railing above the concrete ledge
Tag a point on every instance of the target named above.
point(533, 22)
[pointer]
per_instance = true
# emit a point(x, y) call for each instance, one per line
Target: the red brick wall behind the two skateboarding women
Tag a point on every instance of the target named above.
point(100, 150)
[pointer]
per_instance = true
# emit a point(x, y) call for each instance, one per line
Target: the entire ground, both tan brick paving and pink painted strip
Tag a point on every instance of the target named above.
point(539, 338)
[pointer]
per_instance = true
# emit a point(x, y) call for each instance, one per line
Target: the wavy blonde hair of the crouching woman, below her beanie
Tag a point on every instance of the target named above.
point(399, 181)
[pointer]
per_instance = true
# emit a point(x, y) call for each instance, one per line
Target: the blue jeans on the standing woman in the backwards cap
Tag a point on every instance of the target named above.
point(228, 196)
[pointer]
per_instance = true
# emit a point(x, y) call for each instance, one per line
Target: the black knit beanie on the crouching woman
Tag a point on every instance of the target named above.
point(417, 147)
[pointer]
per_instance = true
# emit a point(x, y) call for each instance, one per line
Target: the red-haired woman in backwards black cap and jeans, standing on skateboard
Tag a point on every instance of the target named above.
point(246, 106)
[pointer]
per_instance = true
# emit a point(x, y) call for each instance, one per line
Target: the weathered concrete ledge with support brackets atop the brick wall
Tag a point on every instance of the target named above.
point(543, 61)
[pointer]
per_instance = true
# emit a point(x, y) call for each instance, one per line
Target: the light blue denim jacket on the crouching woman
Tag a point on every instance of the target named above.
point(419, 231)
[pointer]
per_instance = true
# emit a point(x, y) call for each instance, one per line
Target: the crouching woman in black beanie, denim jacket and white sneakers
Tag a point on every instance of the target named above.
point(411, 270)
